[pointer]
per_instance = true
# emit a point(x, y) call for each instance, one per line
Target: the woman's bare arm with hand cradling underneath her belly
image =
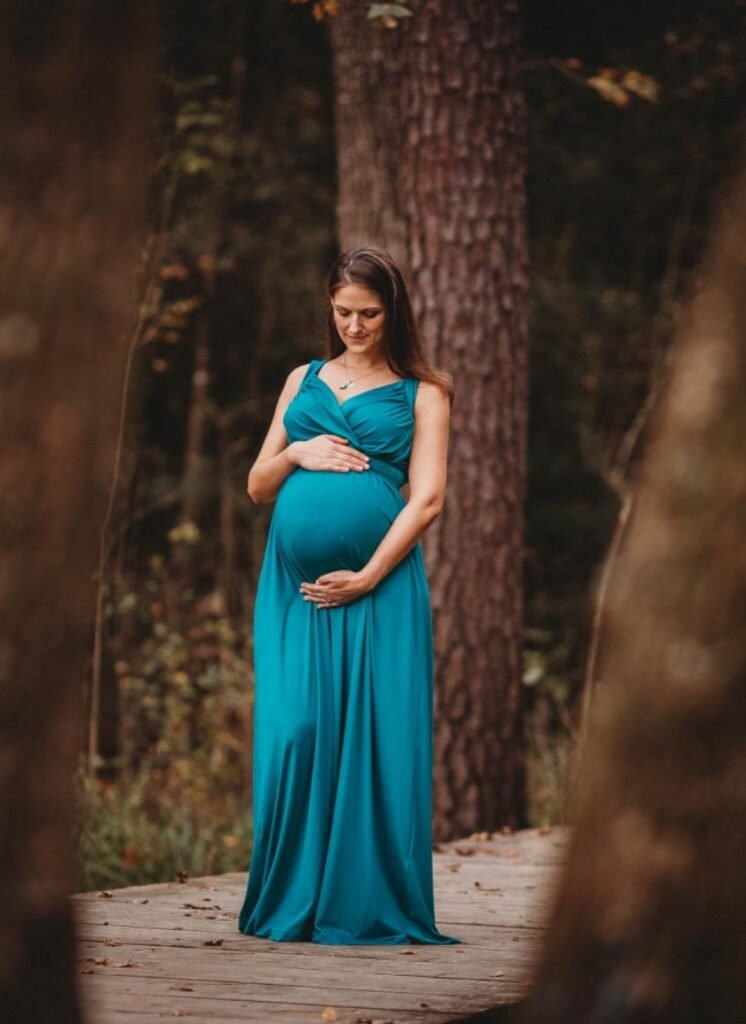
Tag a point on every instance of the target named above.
point(428, 463)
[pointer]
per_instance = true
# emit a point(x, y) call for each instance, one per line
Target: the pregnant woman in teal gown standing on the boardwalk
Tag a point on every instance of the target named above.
point(343, 644)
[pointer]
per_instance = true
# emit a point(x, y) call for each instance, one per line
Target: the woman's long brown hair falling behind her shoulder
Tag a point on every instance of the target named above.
point(376, 270)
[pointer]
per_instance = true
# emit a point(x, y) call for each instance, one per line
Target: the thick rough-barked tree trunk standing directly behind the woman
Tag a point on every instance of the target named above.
point(430, 126)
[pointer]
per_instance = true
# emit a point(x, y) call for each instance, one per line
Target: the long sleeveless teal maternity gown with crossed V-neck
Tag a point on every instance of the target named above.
point(343, 715)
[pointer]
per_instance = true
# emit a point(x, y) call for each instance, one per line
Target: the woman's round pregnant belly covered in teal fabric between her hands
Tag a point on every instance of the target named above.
point(325, 521)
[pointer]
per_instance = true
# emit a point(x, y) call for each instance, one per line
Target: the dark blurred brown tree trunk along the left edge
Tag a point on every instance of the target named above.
point(75, 112)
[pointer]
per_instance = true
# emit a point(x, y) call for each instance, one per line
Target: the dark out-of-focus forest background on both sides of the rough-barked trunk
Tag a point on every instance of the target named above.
point(635, 119)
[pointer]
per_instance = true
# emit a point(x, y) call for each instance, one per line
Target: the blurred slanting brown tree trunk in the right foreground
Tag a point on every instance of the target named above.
point(650, 920)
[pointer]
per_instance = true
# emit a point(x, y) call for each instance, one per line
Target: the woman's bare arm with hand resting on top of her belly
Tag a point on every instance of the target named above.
point(278, 459)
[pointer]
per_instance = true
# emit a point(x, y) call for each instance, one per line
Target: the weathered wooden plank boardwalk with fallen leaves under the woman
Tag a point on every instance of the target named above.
point(157, 953)
